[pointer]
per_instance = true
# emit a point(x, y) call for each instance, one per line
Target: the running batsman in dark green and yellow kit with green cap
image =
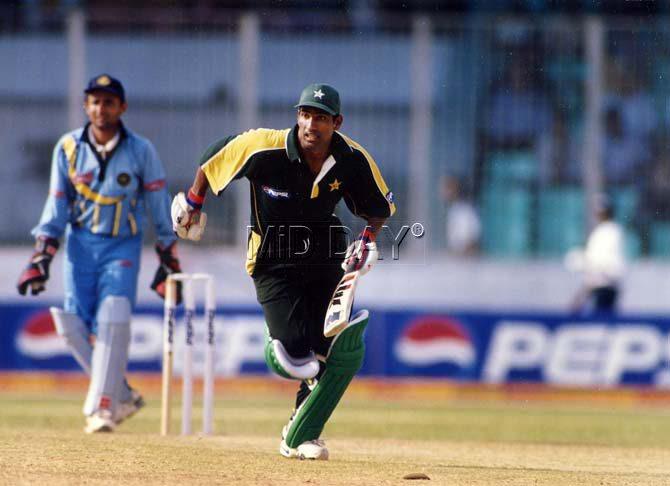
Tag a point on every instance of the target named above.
point(296, 247)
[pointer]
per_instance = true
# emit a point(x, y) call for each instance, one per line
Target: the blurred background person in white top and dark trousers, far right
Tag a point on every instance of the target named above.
point(602, 263)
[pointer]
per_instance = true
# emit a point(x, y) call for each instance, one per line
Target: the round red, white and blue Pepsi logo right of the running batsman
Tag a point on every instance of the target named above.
point(431, 340)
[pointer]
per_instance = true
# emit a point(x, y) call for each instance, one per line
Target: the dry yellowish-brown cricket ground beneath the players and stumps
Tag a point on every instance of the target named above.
point(469, 440)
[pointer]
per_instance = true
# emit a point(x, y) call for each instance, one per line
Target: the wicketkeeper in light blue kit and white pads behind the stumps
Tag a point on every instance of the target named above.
point(103, 176)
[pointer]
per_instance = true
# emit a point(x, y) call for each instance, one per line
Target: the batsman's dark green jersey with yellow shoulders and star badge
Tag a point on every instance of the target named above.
point(284, 193)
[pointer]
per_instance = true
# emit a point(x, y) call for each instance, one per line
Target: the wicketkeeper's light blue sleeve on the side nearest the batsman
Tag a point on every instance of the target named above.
point(157, 197)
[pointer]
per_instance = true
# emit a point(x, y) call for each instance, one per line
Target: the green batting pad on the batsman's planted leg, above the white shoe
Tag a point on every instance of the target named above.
point(344, 360)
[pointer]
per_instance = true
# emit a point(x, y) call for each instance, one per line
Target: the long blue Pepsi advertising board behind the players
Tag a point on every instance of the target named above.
point(469, 347)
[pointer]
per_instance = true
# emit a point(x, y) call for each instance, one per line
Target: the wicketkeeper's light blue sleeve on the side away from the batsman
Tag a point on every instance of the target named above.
point(56, 212)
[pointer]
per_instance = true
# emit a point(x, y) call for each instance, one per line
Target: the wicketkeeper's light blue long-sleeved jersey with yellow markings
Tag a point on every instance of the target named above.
point(106, 197)
